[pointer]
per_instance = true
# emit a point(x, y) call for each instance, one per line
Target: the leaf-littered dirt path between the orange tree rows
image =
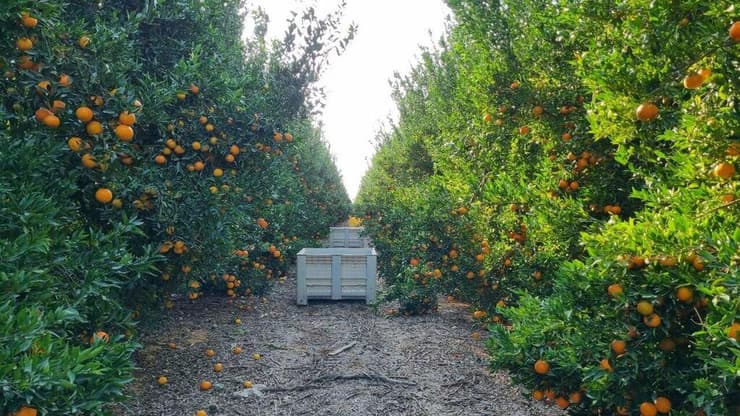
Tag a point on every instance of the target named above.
point(328, 358)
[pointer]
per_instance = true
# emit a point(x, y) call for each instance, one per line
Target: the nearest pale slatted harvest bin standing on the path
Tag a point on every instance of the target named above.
point(336, 273)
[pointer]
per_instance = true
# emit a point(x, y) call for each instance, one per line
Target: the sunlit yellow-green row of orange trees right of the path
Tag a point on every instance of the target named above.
point(569, 168)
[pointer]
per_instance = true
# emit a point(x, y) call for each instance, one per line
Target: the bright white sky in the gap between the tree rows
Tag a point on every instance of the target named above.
point(358, 98)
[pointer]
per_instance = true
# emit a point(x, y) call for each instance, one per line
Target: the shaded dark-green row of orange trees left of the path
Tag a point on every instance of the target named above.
point(149, 155)
